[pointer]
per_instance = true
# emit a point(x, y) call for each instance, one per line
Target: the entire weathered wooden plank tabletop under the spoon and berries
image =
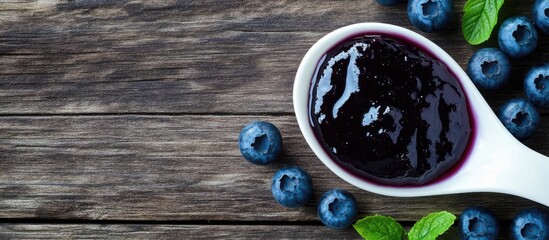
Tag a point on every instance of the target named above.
point(120, 119)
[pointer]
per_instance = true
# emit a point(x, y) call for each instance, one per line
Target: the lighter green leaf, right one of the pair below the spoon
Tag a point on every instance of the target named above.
point(431, 226)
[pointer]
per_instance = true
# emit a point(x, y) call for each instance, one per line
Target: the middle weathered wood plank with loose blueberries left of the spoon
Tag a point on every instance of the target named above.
point(138, 167)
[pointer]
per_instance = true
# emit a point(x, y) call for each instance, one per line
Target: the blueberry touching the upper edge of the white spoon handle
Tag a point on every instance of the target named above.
point(520, 117)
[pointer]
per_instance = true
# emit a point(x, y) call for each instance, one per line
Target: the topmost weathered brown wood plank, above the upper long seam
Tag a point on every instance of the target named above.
point(107, 56)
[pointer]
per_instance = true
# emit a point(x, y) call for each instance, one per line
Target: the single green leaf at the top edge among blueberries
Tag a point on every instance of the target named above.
point(479, 19)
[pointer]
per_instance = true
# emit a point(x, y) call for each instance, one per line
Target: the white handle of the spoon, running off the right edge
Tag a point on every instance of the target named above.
point(502, 164)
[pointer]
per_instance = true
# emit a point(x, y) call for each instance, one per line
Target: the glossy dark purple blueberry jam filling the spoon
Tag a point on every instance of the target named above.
point(388, 111)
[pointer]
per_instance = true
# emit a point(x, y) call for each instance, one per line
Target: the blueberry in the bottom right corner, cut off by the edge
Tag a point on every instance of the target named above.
point(530, 224)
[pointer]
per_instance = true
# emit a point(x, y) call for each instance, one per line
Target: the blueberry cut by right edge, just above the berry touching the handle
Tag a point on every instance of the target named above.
point(536, 85)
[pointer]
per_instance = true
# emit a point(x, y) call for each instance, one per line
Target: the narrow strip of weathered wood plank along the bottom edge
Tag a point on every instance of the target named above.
point(145, 231)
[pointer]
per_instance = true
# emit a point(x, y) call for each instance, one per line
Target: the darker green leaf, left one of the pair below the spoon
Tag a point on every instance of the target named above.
point(379, 228)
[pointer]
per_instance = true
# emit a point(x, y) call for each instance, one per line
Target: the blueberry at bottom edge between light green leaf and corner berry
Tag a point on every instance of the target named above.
point(478, 223)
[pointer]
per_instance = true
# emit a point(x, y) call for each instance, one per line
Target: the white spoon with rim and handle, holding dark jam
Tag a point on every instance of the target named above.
point(497, 162)
